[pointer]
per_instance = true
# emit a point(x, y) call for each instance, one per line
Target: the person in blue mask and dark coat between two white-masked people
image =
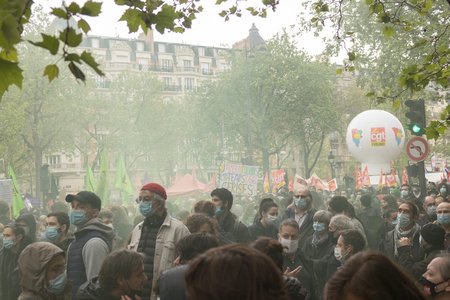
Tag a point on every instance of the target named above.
point(317, 249)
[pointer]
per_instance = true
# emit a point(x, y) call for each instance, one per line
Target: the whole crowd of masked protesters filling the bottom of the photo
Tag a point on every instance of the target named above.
point(304, 244)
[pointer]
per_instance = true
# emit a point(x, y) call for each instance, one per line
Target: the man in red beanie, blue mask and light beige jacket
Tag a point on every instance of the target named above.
point(156, 236)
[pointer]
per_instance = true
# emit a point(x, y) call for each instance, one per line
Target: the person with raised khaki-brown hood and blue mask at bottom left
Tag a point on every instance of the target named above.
point(42, 268)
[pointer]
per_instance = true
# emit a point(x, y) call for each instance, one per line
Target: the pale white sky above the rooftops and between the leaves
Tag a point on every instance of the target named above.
point(209, 29)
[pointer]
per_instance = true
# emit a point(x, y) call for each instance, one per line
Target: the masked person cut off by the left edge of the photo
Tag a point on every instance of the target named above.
point(14, 242)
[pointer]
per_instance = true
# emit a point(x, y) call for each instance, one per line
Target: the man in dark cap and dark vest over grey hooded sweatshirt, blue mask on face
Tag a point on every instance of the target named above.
point(92, 241)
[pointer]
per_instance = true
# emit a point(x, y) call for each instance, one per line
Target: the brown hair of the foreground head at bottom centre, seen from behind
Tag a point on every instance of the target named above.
point(234, 272)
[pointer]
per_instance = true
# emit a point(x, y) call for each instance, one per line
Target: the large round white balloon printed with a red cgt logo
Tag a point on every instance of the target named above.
point(375, 137)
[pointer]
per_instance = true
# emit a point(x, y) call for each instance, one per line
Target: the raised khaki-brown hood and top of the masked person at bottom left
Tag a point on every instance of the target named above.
point(32, 267)
